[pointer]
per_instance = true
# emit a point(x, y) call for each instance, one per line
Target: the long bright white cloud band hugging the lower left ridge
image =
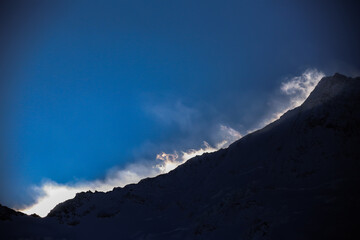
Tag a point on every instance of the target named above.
point(50, 193)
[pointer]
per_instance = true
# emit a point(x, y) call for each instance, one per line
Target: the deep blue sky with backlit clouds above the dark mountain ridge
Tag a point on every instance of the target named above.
point(96, 94)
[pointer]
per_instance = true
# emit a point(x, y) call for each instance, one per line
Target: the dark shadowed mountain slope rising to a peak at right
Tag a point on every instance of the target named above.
point(297, 178)
